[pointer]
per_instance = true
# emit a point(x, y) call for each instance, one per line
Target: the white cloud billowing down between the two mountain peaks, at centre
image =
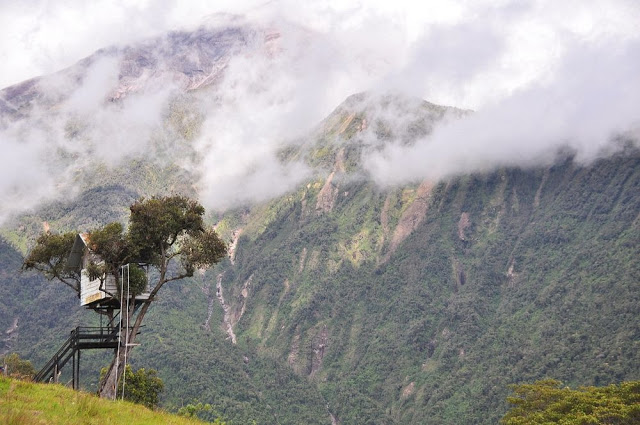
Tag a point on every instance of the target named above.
point(273, 94)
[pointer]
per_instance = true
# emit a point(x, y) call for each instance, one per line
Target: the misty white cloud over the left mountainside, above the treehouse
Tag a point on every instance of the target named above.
point(72, 127)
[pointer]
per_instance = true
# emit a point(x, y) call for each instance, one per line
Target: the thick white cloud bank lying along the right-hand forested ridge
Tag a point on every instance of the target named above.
point(592, 101)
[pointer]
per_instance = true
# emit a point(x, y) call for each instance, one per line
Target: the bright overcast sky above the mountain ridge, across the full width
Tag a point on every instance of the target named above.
point(466, 52)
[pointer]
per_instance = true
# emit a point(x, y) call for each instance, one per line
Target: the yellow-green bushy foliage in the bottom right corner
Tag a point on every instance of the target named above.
point(547, 401)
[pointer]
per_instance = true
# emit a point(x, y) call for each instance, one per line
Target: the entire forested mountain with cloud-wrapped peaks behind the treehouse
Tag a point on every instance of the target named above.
point(342, 301)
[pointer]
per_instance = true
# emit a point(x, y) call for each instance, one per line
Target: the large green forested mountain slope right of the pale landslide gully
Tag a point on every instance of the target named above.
point(421, 304)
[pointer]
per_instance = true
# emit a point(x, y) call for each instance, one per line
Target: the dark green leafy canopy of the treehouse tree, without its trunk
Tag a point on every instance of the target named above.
point(160, 230)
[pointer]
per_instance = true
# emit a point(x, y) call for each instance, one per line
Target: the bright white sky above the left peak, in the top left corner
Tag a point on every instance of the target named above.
point(42, 37)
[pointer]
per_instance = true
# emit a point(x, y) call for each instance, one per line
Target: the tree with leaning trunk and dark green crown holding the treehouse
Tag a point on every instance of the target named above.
point(166, 234)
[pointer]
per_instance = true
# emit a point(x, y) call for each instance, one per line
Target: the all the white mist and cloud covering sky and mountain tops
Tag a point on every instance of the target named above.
point(541, 78)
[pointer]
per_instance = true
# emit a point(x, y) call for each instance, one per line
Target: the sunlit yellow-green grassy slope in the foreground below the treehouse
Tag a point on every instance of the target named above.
point(25, 403)
